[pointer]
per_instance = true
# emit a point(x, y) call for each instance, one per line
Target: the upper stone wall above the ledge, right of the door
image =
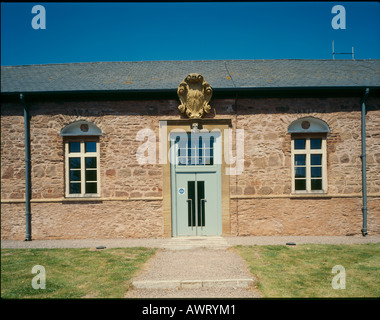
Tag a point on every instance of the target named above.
point(267, 144)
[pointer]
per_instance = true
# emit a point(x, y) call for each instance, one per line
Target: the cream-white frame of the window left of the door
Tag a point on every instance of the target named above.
point(82, 155)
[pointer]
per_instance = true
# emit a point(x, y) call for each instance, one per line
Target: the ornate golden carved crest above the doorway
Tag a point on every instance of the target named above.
point(195, 94)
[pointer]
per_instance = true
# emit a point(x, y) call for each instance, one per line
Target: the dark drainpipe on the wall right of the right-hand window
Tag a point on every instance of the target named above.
point(364, 169)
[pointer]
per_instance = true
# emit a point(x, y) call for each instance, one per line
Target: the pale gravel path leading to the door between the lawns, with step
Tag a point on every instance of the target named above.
point(194, 273)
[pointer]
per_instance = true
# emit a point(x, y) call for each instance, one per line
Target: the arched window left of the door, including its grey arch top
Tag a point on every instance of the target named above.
point(82, 160)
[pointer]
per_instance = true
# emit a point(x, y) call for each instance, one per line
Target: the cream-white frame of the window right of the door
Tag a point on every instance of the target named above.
point(308, 152)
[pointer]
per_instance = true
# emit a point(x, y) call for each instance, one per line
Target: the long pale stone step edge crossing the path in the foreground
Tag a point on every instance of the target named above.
point(192, 284)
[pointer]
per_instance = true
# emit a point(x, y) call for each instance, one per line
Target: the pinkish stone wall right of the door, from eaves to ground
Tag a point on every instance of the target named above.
point(261, 201)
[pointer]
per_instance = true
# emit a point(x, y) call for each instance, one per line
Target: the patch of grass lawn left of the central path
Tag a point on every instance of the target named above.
point(71, 273)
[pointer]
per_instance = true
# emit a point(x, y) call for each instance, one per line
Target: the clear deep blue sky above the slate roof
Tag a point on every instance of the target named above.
point(85, 32)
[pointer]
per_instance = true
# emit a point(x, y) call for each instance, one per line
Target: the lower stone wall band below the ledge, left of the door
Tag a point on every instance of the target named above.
point(82, 220)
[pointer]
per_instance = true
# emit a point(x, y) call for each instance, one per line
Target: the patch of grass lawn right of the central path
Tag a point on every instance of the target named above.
point(305, 271)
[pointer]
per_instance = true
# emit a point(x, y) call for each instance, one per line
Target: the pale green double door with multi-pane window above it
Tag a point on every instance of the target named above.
point(196, 185)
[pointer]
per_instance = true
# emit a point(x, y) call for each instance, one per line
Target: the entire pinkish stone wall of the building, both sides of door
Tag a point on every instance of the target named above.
point(131, 194)
